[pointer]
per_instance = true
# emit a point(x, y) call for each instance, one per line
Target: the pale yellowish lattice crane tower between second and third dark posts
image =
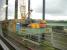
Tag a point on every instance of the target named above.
point(23, 10)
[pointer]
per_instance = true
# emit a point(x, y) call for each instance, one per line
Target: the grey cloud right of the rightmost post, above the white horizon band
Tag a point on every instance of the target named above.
point(56, 7)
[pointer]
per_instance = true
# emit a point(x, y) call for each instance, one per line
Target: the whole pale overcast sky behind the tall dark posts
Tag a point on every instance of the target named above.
point(54, 9)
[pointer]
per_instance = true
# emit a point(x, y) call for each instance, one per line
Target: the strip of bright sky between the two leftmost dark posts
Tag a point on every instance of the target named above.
point(11, 8)
